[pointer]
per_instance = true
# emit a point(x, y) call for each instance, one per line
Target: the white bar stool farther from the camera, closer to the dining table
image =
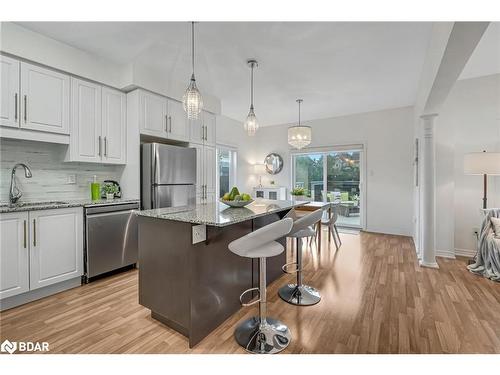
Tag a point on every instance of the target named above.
point(300, 294)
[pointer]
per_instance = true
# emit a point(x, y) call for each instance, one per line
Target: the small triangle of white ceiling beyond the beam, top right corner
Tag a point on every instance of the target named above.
point(485, 59)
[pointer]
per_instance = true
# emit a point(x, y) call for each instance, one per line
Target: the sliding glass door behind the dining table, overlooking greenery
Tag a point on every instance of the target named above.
point(335, 176)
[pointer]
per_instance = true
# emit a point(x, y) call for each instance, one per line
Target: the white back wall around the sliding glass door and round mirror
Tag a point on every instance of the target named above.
point(388, 136)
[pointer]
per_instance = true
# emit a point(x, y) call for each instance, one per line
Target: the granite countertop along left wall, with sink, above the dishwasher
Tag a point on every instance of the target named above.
point(6, 207)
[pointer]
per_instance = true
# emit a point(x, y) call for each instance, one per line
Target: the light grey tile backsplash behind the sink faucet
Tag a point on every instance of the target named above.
point(51, 175)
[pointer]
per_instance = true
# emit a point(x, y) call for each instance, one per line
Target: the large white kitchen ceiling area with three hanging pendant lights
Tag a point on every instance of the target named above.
point(338, 68)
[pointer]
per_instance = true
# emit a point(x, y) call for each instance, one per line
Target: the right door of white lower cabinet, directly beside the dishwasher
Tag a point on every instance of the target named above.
point(56, 246)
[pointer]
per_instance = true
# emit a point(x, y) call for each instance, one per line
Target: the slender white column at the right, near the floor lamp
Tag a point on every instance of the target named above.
point(428, 255)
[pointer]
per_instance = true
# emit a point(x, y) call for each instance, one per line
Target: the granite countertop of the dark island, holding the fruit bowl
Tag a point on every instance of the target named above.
point(218, 214)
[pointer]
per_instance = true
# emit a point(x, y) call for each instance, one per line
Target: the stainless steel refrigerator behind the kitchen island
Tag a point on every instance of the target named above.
point(168, 176)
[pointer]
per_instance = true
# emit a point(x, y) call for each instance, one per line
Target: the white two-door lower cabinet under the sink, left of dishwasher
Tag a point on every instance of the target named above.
point(40, 248)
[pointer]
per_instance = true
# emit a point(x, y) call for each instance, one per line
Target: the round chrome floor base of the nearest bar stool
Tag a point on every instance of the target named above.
point(268, 338)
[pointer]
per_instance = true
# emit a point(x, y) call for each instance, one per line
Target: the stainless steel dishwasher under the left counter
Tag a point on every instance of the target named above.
point(111, 240)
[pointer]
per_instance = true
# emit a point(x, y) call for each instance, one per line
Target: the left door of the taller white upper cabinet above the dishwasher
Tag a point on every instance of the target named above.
point(86, 120)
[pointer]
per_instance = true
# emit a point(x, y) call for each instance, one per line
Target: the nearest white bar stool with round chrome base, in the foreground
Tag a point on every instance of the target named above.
point(261, 334)
